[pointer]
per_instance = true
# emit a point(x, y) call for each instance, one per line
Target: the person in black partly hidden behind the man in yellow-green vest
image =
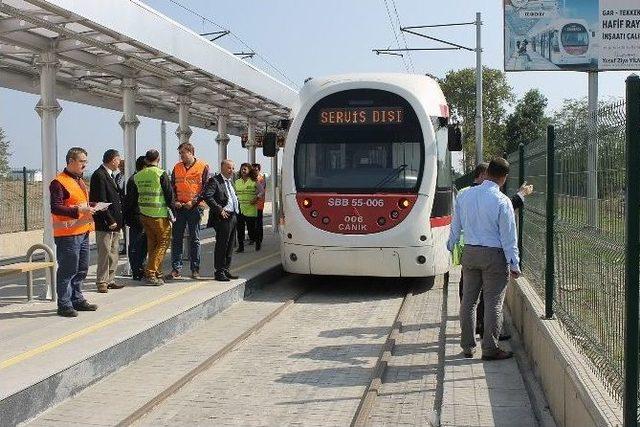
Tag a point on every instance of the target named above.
point(137, 238)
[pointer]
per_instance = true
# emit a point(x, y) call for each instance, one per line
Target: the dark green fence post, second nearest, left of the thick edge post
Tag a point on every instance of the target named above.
point(549, 279)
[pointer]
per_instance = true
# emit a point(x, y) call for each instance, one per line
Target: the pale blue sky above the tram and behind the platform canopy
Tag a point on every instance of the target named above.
point(301, 39)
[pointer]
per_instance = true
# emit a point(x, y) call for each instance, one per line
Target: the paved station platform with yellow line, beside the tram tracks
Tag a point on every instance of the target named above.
point(45, 358)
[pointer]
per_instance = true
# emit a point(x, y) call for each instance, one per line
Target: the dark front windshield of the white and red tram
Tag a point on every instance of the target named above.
point(361, 140)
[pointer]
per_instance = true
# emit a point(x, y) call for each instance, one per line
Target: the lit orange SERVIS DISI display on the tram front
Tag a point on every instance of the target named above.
point(361, 116)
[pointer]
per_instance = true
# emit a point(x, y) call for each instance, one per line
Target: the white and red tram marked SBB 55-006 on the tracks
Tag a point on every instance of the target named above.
point(366, 178)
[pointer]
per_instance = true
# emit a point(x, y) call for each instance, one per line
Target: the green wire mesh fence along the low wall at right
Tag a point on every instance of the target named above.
point(589, 194)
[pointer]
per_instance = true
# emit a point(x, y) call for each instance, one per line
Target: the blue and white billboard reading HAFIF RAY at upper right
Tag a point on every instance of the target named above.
point(571, 35)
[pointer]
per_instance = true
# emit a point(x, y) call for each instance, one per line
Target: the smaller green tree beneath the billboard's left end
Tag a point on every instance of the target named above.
point(528, 122)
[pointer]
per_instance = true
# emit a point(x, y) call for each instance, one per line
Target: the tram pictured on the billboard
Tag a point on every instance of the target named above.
point(563, 42)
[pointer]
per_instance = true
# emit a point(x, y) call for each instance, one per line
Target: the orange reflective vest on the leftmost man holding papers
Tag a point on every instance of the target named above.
point(65, 225)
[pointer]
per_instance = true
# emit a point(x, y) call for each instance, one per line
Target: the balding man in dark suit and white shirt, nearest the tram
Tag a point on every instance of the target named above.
point(223, 202)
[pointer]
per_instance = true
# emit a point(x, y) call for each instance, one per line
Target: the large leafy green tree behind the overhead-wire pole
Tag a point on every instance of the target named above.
point(459, 88)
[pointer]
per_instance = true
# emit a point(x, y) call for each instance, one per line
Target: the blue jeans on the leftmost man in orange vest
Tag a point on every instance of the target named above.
point(73, 264)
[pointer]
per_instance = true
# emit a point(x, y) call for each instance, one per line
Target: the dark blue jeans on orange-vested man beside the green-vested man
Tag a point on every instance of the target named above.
point(186, 218)
